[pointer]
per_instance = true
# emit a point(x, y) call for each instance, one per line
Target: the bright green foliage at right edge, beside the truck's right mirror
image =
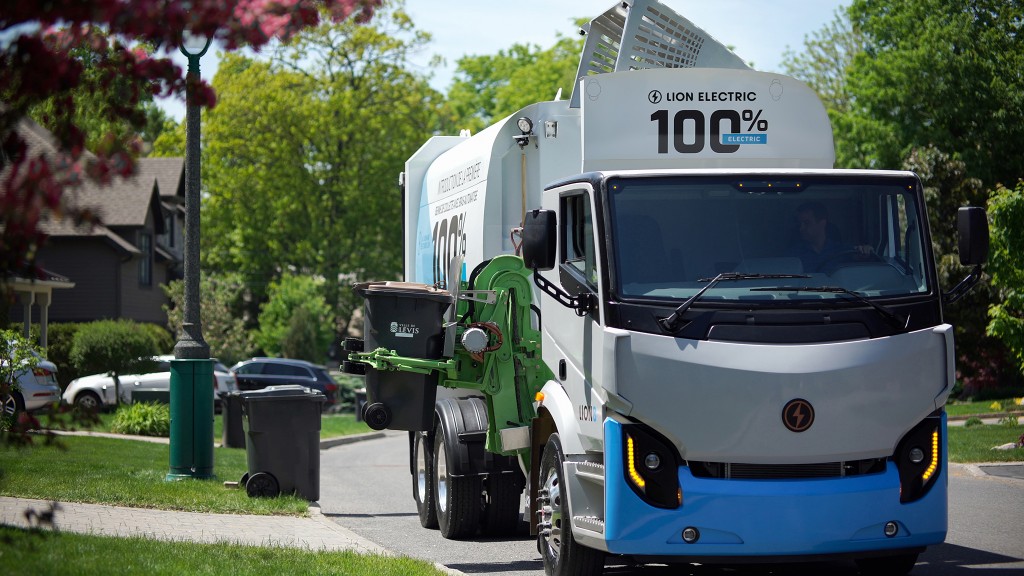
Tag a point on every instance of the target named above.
point(1006, 209)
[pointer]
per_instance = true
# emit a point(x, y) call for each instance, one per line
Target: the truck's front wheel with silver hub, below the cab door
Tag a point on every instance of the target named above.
point(563, 555)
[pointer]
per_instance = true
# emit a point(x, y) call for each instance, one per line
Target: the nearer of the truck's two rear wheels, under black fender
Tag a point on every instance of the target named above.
point(458, 500)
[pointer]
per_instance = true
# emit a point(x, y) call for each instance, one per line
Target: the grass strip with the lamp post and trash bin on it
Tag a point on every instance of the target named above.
point(130, 474)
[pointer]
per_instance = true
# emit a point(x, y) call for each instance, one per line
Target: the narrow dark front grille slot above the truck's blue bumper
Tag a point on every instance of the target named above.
point(736, 471)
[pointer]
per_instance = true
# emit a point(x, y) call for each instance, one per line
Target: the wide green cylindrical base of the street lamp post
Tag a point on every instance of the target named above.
point(192, 420)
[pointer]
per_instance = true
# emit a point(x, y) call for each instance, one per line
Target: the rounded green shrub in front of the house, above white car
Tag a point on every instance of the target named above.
point(114, 348)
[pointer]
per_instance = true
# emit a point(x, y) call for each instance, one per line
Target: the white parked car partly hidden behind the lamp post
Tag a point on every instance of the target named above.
point(97, 392)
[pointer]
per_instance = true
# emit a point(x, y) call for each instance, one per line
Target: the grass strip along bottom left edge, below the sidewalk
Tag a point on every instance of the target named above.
point(31, 553)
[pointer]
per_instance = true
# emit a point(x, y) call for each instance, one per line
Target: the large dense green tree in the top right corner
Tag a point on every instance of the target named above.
point(944, 73)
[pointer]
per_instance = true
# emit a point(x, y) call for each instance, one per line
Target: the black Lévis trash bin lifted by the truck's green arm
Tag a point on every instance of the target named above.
point(407, 318)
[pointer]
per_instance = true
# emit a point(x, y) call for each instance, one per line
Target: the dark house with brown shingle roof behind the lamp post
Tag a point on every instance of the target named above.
point(117, 267)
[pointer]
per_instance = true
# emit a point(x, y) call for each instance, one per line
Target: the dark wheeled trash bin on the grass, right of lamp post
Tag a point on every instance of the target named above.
point(282, 428)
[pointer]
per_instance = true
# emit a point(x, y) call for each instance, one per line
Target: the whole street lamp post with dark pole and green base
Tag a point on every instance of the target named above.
point(192, 371)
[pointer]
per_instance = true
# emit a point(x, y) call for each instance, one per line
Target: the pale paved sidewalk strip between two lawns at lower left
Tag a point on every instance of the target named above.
point(314, 533)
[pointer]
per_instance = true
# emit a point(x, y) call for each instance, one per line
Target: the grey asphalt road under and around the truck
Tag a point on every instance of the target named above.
point(366, 487)
